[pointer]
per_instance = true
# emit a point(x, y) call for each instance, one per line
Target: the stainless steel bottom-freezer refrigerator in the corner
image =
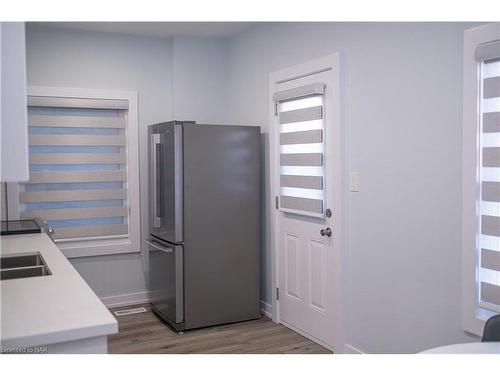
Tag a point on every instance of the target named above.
point(204, 223)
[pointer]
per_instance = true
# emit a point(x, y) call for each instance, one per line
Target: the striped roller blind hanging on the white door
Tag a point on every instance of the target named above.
point(301, 138)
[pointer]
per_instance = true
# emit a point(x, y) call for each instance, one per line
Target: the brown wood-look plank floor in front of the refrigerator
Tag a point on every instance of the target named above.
point(144, 333)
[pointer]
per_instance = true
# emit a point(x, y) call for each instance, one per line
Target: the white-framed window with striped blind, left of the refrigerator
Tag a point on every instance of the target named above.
point(83, 170)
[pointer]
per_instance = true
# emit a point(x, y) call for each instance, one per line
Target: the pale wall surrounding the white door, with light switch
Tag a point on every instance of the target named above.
point(402, 118)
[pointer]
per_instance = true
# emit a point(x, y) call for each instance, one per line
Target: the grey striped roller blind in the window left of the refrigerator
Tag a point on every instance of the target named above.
point(78, 167)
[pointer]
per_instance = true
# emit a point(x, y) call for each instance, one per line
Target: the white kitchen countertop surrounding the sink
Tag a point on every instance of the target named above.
point(49, 309)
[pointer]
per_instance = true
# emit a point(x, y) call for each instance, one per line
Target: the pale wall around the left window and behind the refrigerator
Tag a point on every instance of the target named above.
point(69, 58)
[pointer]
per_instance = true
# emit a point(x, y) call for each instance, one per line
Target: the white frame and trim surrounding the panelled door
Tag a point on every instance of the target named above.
point(326, 63)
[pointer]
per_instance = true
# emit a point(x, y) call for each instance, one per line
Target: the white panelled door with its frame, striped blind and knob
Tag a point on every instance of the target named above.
point(306, 174)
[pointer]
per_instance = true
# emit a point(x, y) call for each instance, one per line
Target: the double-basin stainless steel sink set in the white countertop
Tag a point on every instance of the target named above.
point(21, 266)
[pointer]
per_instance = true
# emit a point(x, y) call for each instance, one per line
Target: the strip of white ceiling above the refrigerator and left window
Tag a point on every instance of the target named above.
point(159, 29)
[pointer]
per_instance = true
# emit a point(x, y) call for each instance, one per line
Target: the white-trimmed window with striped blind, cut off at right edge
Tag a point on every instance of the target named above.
point(481, 174)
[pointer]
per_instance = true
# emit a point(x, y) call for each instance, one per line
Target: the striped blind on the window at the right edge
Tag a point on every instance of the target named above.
point(489, 177)
